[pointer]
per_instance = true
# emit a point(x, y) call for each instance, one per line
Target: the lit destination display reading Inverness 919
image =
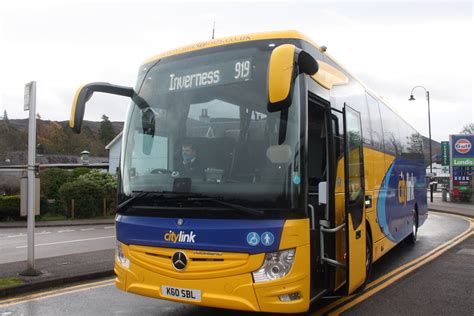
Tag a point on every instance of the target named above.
point(217, 74)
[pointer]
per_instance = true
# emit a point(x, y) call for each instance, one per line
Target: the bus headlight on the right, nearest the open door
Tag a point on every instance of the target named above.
point(276, 265)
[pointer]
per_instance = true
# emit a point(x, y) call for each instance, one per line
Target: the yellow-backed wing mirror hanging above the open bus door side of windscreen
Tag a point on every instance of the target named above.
point(286, 62)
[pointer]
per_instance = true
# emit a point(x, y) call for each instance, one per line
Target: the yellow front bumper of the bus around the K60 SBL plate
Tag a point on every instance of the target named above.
point(237, 291)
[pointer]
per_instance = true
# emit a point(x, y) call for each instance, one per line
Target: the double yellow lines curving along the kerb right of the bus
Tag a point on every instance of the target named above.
point(381, 280)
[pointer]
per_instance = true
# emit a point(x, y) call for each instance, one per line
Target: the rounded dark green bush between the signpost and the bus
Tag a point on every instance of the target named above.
point(87, 197)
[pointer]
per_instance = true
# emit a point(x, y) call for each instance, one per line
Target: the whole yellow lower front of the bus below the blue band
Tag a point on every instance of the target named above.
point(224, 279)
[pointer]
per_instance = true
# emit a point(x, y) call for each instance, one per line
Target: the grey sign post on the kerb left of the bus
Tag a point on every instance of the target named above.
point(30, 105)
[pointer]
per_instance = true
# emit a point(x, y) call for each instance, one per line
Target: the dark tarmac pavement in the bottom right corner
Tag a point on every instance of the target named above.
point(442, 287)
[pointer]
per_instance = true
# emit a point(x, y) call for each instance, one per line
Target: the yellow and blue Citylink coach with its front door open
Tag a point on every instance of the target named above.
point(258, 174)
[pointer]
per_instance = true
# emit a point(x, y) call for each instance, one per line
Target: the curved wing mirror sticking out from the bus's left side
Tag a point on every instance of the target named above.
point(84, 93)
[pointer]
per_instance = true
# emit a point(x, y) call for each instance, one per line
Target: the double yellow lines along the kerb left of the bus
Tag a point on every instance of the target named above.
point(54, 293)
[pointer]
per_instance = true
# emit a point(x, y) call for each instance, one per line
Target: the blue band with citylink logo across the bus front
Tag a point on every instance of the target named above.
point(245, 236)
